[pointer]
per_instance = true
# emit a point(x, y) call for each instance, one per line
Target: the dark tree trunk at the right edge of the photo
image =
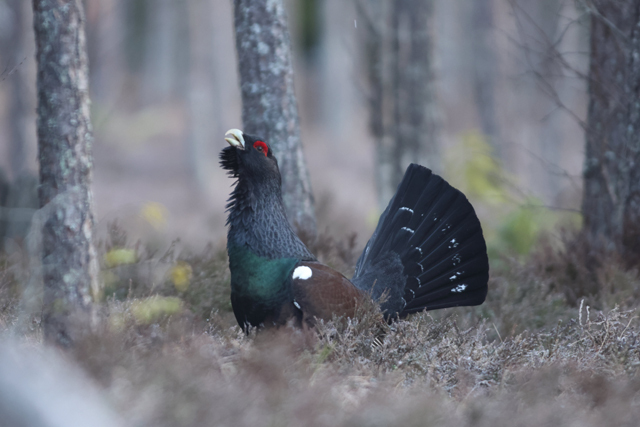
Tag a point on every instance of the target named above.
point(611, 202)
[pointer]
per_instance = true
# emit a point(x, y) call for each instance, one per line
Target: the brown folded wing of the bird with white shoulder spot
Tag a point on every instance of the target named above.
point(320, 291)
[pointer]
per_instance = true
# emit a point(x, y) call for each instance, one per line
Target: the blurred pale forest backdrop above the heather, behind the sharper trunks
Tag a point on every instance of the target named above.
point(490, 82)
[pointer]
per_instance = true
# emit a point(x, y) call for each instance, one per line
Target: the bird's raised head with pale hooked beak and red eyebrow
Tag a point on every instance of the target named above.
point(248, 157)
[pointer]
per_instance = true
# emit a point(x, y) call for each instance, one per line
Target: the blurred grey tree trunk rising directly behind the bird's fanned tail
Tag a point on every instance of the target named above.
point(402, 96)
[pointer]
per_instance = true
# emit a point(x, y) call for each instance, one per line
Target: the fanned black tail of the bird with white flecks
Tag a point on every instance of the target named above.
point(427, 251)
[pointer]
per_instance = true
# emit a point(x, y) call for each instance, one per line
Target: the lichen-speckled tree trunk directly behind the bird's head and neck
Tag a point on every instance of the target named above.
point(269, 107)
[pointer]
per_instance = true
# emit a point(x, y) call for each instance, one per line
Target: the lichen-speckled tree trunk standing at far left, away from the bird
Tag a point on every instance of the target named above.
point(70, 269)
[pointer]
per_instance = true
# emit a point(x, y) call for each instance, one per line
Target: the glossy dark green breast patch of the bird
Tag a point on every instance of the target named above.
point(257, 277)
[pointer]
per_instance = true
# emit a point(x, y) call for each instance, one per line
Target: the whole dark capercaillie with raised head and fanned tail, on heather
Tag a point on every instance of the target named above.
point(427, 251)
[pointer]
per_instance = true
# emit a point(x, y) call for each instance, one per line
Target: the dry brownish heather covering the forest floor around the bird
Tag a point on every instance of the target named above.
point(168, 355)
